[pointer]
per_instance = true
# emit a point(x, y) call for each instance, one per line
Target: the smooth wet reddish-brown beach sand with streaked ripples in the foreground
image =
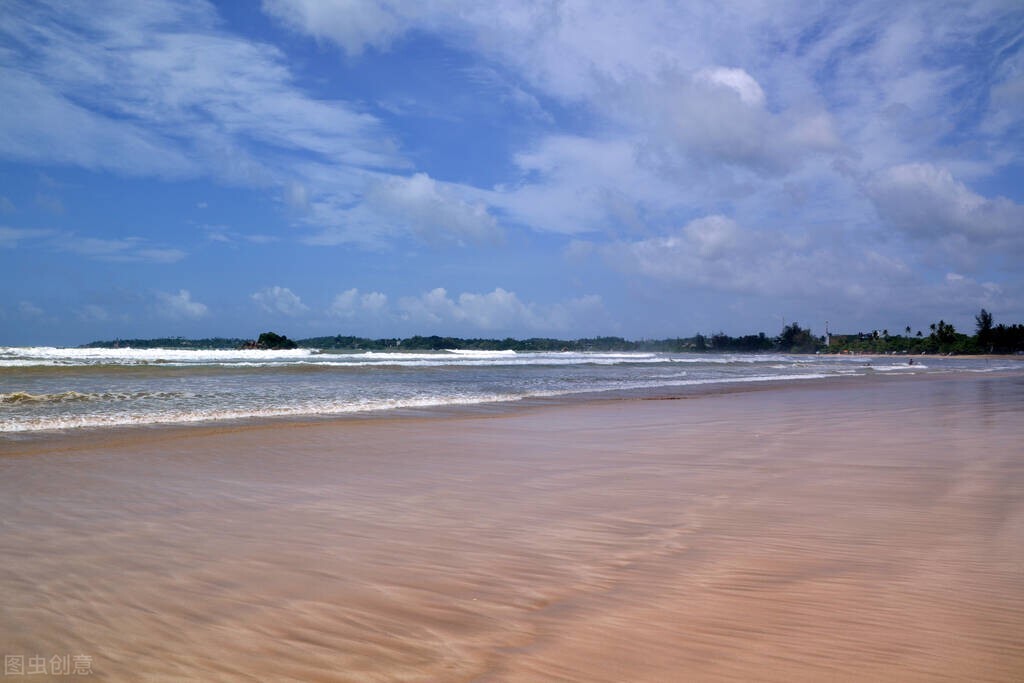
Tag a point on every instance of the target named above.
point(849, 530)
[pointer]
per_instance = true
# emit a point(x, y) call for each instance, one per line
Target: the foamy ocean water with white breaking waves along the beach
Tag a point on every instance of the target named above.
point(46, 389)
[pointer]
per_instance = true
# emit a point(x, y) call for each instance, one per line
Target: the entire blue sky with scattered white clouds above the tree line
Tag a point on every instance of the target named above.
point(491, 169)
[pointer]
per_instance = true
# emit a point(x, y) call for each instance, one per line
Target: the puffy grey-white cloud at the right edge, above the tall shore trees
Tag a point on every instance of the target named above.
point(926, 201)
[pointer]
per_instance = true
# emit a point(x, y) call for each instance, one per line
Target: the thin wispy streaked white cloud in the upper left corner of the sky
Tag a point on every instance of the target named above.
point(160, 91)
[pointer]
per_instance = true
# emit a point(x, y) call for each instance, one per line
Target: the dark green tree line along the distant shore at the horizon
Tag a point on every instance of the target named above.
point(941, 337)
